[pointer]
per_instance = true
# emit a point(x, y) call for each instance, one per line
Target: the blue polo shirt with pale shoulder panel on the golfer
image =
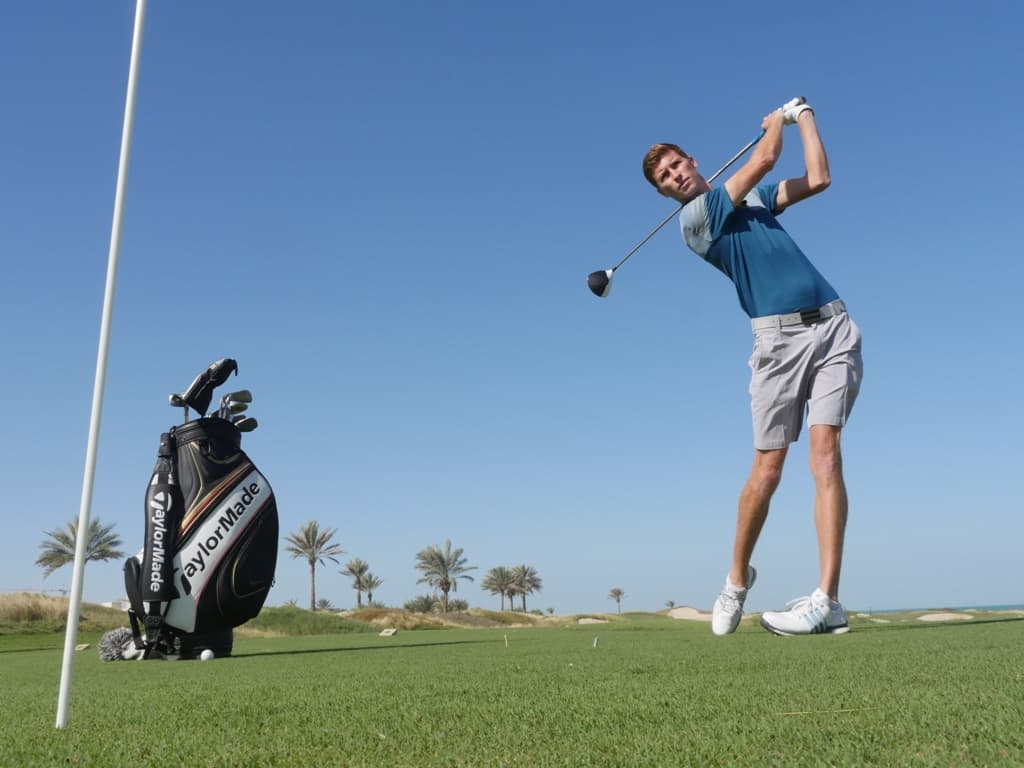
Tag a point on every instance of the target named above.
point(772, 275)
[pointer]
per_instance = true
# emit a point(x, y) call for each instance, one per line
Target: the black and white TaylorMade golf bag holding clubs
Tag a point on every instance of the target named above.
point(211, 532)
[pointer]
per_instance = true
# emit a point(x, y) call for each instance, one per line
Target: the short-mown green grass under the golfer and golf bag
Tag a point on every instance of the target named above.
point(654, 692)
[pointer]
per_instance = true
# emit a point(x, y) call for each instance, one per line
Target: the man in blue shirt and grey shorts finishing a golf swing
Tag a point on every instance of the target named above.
point(806, 357)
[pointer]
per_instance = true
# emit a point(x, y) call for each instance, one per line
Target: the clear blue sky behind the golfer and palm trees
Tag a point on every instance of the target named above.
point(387, 214)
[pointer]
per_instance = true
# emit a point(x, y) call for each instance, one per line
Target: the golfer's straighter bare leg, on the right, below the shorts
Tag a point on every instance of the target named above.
point(831, 504)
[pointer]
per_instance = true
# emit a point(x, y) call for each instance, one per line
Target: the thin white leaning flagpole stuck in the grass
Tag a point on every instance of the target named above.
point(75, 605)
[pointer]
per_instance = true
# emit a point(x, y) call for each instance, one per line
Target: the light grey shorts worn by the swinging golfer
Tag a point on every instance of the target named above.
point(817, 367)
